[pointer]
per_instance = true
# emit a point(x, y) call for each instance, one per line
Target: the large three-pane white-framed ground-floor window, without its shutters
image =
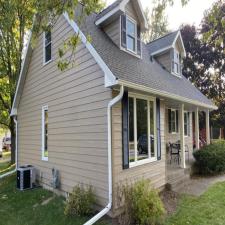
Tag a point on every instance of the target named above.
point(142, 130)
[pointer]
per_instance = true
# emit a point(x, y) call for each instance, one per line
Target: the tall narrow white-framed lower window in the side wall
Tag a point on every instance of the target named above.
point(45, 133)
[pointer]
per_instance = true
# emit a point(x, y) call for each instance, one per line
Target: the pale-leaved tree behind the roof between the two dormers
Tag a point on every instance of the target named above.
point(157, 19)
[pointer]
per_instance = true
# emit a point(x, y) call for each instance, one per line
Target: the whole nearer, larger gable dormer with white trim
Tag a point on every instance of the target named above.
point(123, 22)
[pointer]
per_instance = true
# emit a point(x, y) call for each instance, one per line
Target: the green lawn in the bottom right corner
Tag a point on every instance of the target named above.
point(208, 209)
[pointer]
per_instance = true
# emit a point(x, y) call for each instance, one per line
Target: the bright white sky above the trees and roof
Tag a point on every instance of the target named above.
point(177, 15)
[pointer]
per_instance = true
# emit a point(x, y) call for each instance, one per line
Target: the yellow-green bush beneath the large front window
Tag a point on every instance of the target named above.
point(142, 205)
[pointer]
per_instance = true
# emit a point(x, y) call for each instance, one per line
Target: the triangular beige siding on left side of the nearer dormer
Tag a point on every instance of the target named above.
point(113, 31)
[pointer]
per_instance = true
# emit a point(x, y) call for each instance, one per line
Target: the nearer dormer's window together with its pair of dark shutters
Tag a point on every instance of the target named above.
point(130, 35)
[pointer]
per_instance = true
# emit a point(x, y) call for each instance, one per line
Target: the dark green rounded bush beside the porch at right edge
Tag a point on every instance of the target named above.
point(210, 160)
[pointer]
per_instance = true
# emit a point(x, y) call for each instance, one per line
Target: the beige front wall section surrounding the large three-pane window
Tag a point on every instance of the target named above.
point(154, 171)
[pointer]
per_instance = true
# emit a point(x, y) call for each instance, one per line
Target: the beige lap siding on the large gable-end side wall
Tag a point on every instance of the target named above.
point(77, 106)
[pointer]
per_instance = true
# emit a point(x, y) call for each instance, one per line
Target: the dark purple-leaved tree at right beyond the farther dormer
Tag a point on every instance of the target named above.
point(204, 65)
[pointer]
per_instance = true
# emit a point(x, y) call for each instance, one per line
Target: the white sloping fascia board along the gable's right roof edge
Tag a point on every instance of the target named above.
point(110, 79)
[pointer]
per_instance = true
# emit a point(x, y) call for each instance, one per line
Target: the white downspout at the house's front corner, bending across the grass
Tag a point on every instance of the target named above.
point(109, 206)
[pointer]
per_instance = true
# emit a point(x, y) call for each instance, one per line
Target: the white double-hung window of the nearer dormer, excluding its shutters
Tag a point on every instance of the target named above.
point(131, 35)
